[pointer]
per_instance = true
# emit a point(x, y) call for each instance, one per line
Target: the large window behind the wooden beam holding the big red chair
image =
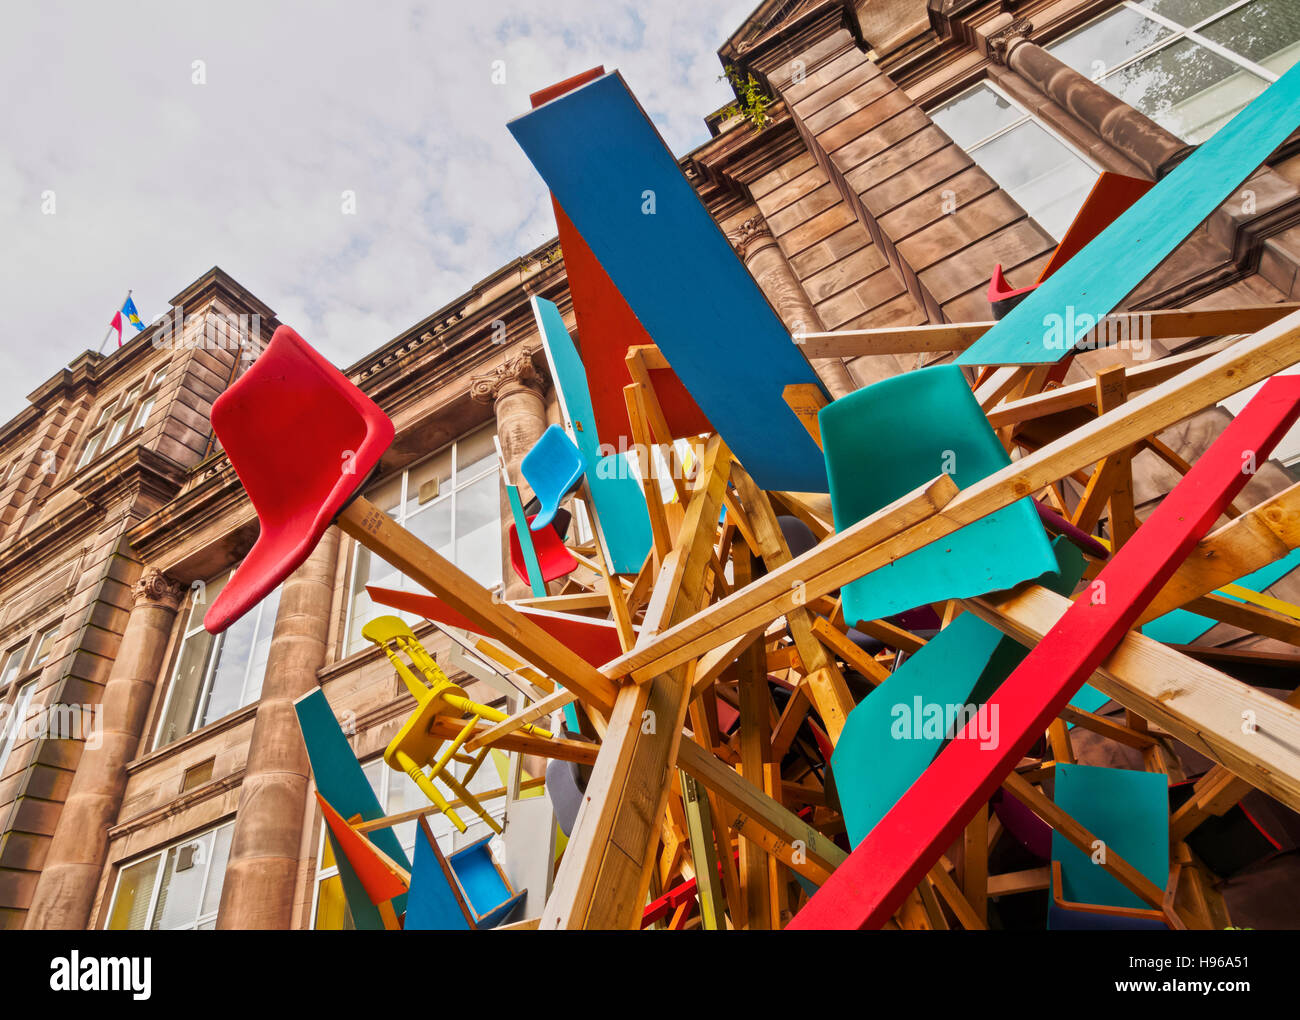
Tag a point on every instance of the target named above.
point(453, 504)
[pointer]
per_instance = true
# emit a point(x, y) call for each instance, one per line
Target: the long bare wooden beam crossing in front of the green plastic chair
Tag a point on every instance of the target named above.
point(895, 531)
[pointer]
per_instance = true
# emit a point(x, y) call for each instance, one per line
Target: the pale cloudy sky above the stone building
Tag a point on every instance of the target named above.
point(148, 142)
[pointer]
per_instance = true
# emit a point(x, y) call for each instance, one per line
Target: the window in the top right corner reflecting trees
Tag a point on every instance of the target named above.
point(1190, 66)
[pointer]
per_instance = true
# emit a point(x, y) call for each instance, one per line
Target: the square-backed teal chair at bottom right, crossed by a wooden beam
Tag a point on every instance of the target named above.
point(1129, 811)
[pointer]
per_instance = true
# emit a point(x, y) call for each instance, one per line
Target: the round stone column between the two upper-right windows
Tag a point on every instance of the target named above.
point(1150, 146)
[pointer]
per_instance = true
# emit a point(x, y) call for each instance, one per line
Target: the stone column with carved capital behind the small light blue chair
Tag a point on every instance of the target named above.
point(517, 392)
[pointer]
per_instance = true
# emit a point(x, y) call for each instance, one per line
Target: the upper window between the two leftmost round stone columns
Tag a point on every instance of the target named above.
point(216, 675)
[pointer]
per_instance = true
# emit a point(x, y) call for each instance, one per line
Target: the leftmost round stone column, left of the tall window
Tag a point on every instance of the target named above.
point(66, 892)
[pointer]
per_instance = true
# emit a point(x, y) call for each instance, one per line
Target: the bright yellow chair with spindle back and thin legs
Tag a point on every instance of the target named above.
point(417, 746)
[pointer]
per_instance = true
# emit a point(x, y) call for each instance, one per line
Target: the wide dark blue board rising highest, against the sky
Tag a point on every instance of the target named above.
point(622, 188)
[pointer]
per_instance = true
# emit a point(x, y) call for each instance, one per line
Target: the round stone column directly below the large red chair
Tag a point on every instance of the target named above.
point(263, 869)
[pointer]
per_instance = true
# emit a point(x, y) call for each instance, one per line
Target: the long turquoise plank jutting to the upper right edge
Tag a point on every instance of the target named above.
point(1047, 324)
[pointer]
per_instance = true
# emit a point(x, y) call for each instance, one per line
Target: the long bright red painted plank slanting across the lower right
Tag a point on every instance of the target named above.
point(873, 883)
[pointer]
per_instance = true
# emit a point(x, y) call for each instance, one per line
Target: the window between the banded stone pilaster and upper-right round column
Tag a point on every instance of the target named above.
point(1047, 177)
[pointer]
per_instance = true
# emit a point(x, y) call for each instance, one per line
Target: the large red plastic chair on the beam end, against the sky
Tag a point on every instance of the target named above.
point(304, 440)
